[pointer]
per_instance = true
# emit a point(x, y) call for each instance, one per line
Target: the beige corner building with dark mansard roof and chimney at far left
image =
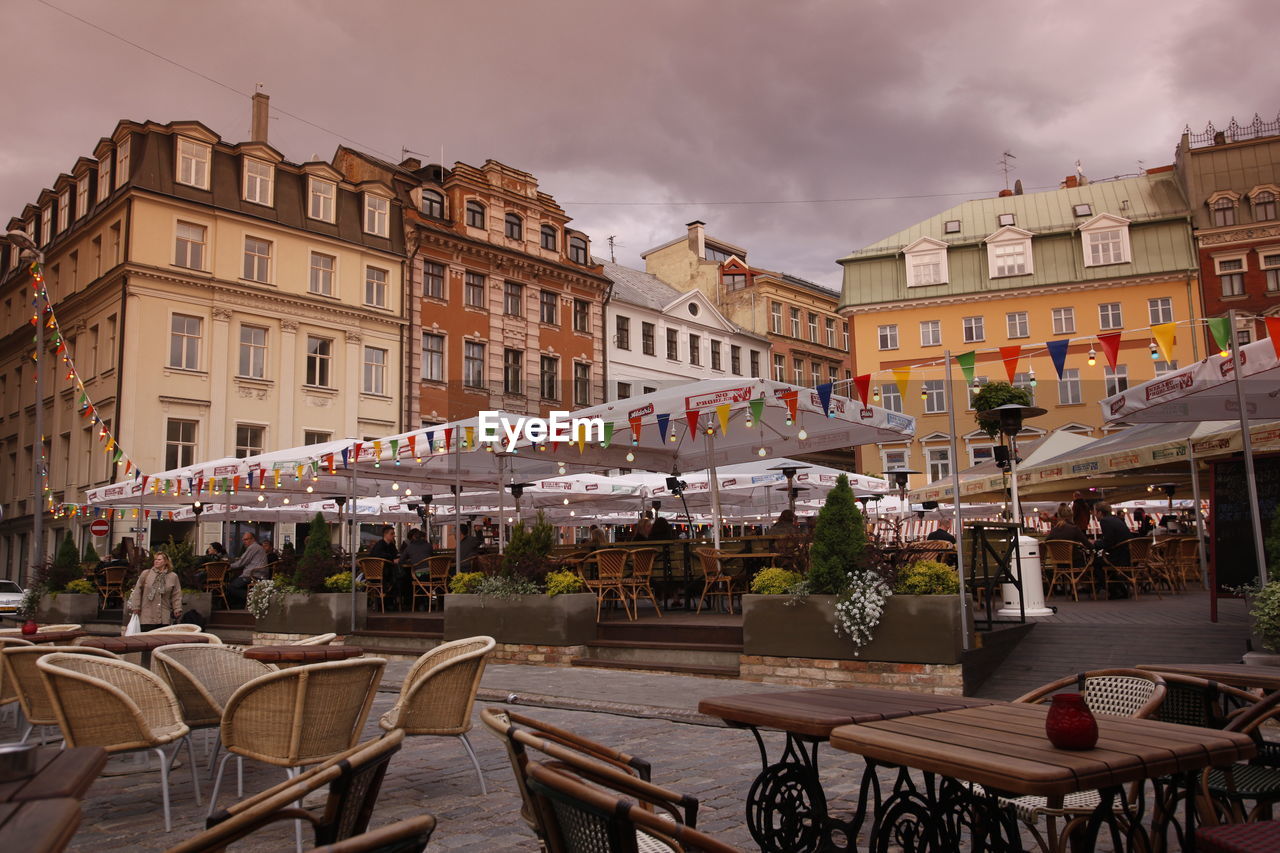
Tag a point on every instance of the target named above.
point(216, 302)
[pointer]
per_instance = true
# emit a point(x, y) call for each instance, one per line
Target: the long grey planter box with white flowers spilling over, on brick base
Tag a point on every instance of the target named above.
point(915, 630)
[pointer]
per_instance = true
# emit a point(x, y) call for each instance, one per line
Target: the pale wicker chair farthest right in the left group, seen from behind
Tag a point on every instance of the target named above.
point(440, 692)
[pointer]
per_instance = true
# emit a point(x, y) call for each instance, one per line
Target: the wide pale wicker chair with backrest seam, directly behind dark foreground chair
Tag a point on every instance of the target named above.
point(299, 717)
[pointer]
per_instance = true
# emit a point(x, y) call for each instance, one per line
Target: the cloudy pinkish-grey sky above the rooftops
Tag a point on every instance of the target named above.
point(798, 130)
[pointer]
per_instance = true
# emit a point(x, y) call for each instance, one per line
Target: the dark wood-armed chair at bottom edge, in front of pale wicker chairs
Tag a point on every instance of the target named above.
point(354, 779)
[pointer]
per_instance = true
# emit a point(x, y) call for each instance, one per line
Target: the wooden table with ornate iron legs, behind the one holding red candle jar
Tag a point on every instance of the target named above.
point(787, 809)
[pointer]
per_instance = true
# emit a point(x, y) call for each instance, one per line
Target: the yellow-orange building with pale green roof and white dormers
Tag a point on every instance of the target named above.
point(1050, 270)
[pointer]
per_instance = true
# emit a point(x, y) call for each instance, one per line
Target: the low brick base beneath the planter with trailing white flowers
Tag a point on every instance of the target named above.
point(947, 679)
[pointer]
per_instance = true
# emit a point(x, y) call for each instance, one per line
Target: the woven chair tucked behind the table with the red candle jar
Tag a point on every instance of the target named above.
point(1122, 694)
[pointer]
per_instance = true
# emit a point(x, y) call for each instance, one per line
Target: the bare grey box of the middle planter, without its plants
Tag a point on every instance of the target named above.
point(537, 621)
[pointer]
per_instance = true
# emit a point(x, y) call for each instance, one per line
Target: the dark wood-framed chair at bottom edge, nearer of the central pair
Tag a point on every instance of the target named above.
point(583, 819)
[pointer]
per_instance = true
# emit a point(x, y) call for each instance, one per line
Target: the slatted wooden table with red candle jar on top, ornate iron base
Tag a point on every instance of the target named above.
point(1004, 750)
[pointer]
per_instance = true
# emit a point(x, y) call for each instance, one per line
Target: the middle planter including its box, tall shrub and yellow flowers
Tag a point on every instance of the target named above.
point(511, 606)
